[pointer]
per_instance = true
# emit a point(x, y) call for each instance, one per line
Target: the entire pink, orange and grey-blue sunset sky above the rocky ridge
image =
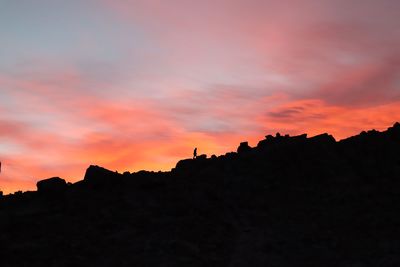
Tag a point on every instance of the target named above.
point(132, 85)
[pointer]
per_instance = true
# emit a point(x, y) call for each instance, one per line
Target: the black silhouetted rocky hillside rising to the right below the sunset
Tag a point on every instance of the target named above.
point(290, 201)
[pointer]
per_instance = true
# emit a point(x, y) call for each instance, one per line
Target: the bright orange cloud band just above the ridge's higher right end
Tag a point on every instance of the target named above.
point(315, 116)
